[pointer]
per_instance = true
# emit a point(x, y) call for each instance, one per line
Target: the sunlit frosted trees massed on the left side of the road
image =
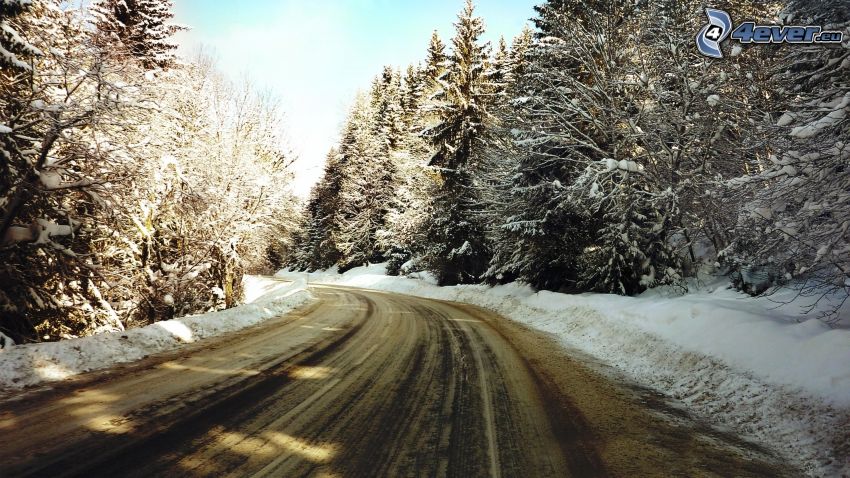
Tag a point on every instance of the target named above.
point(133, 187)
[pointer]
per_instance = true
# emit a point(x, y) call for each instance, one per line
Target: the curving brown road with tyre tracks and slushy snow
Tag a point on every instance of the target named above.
point(364, 383)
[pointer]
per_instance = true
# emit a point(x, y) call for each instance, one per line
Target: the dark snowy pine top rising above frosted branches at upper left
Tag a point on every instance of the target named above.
point(143, 27)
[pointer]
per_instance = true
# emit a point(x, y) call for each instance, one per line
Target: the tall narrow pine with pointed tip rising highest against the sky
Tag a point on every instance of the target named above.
point(456, 250)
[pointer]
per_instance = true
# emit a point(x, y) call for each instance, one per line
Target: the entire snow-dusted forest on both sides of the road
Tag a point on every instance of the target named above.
point(597, 151)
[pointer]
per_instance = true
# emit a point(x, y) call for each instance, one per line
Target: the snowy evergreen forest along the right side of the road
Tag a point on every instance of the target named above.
point(599, 152)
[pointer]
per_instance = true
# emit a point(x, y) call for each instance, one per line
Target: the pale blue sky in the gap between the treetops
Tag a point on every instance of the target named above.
point(315, 54)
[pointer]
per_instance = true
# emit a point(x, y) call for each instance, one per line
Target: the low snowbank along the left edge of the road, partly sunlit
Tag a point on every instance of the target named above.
point(33, 364)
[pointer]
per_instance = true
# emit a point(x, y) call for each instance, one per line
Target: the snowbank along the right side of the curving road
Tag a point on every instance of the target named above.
point(736, 361)
